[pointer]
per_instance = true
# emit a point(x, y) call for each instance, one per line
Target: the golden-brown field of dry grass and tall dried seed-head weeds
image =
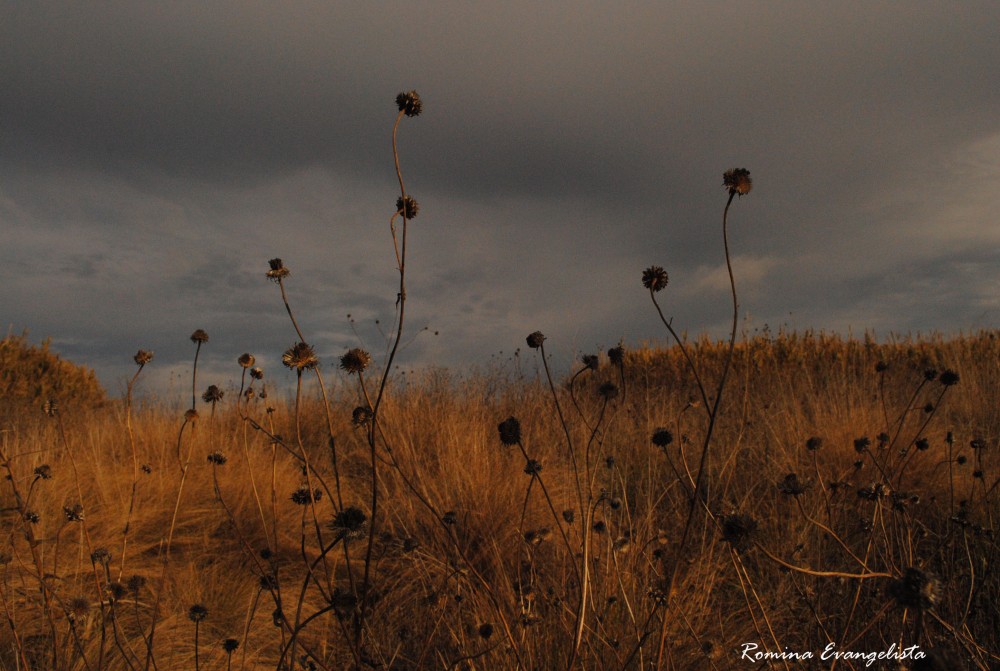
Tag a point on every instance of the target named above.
point(791, 499)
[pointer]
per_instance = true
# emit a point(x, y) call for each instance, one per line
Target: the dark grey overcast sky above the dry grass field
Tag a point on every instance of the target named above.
point(154, 156)
